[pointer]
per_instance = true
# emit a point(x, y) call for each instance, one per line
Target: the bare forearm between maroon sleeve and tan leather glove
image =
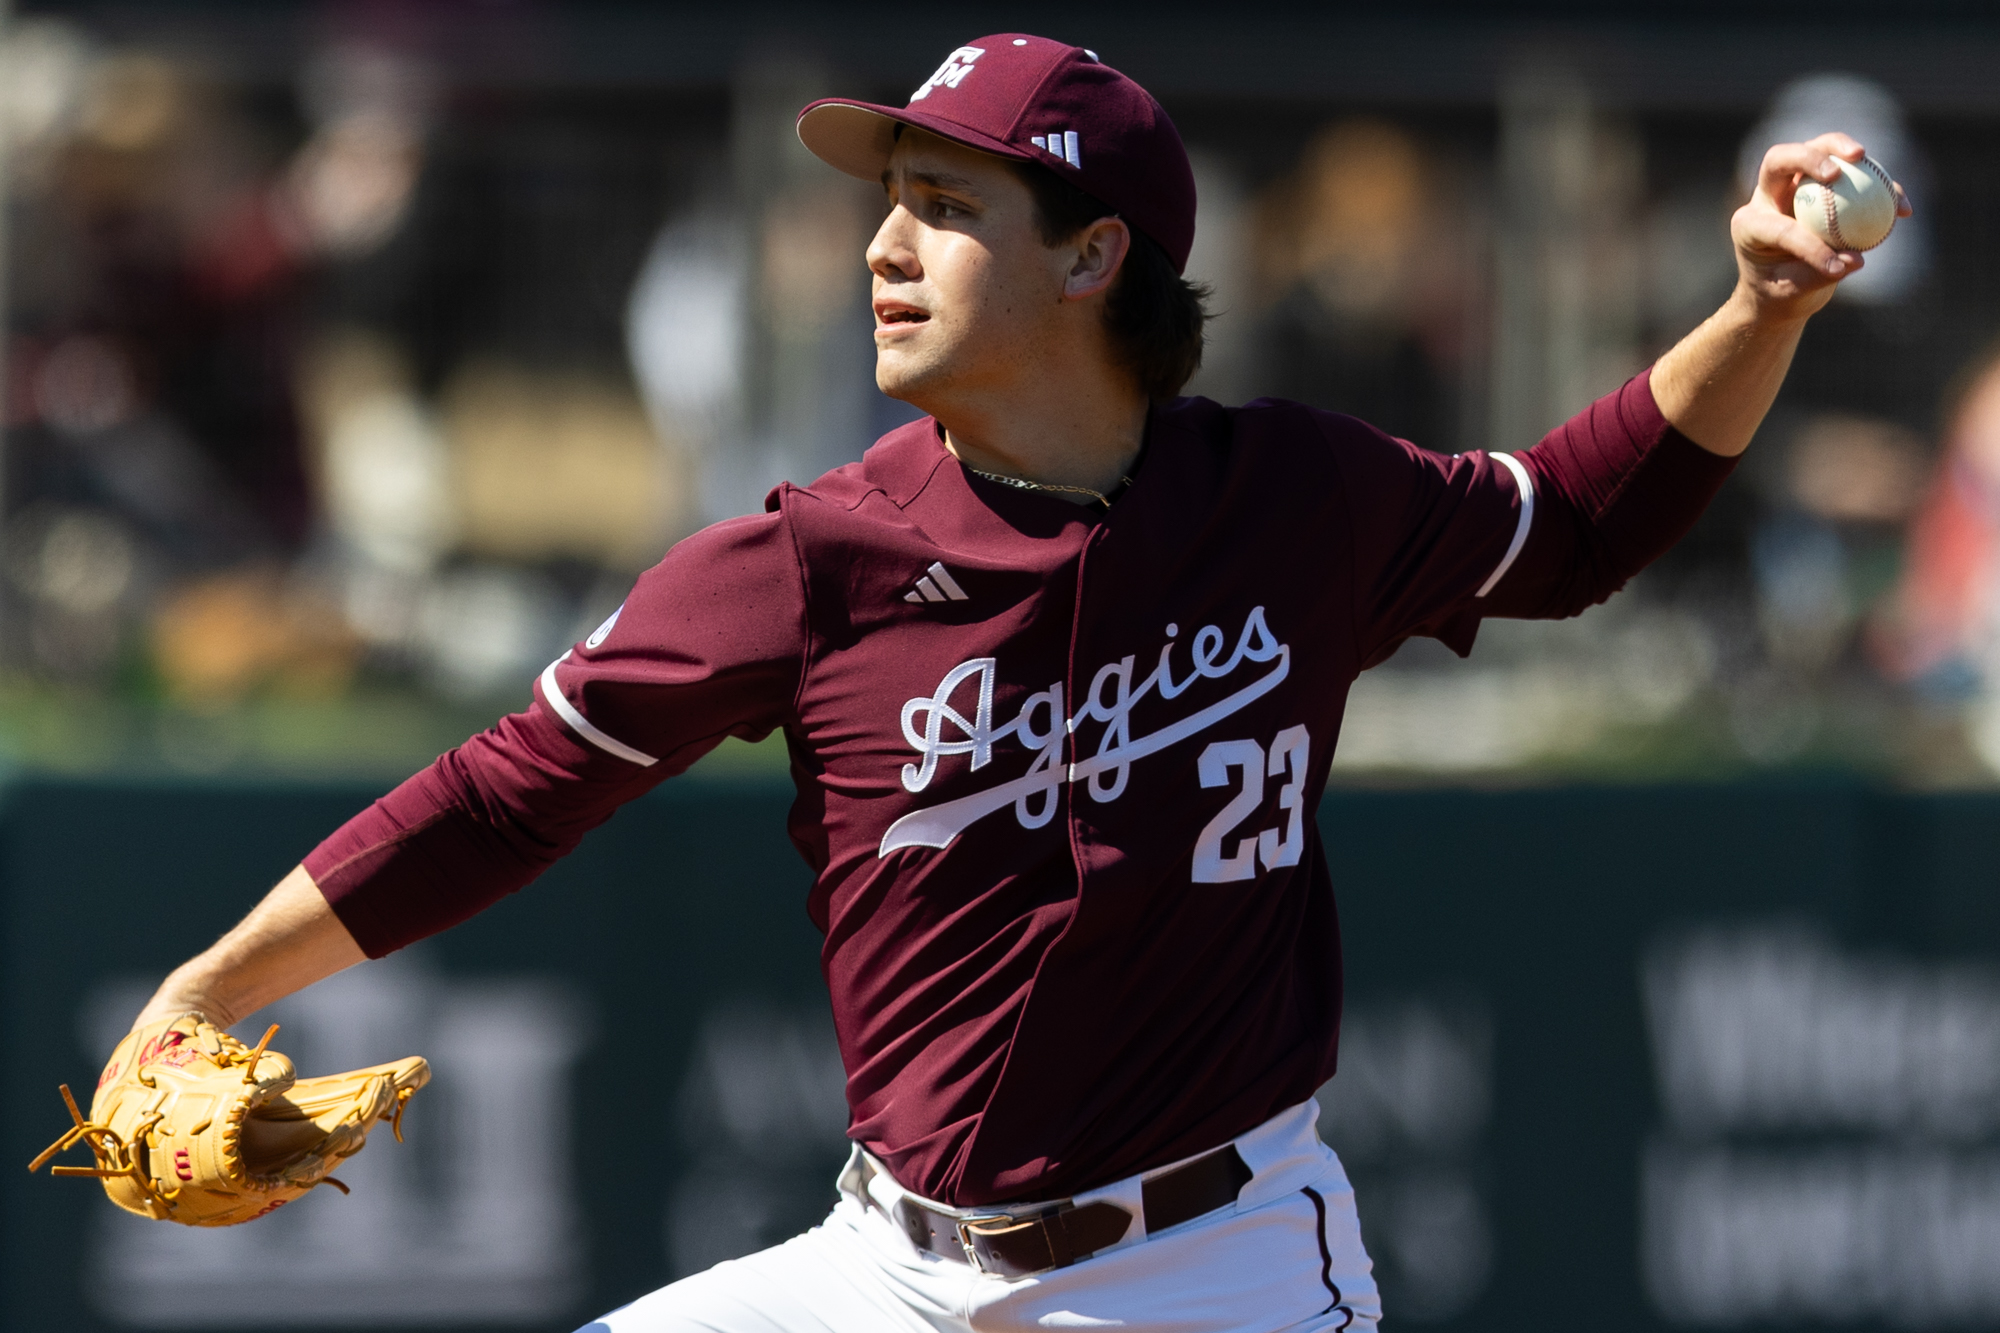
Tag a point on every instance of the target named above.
point(289, 942)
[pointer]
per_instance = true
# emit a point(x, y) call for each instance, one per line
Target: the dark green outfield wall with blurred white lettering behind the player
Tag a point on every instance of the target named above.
point(635, 1068)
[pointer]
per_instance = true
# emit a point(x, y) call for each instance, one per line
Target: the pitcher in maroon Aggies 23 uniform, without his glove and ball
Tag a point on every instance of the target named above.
point(1061, 670)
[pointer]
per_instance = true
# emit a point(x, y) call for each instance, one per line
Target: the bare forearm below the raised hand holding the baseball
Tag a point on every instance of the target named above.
point(1719, 383)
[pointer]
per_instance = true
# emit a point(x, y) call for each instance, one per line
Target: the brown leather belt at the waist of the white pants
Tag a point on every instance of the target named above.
point(1063, 1234)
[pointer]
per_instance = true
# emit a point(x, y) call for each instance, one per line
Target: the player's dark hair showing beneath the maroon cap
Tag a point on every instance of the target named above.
point(1153, 313)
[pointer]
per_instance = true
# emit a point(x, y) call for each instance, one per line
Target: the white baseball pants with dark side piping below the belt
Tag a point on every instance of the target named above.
point(1285, 1256)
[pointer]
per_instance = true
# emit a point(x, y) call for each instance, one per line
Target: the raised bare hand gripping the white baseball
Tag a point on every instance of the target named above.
point(1781, 267)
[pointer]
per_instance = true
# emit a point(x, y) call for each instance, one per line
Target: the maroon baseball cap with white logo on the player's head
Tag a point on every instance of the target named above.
point(1035, 101)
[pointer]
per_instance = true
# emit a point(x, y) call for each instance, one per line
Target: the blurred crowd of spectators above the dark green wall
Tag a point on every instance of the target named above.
point(359, 355)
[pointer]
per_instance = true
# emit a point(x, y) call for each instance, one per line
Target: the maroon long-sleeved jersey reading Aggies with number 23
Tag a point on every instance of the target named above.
point(1057, 768)
